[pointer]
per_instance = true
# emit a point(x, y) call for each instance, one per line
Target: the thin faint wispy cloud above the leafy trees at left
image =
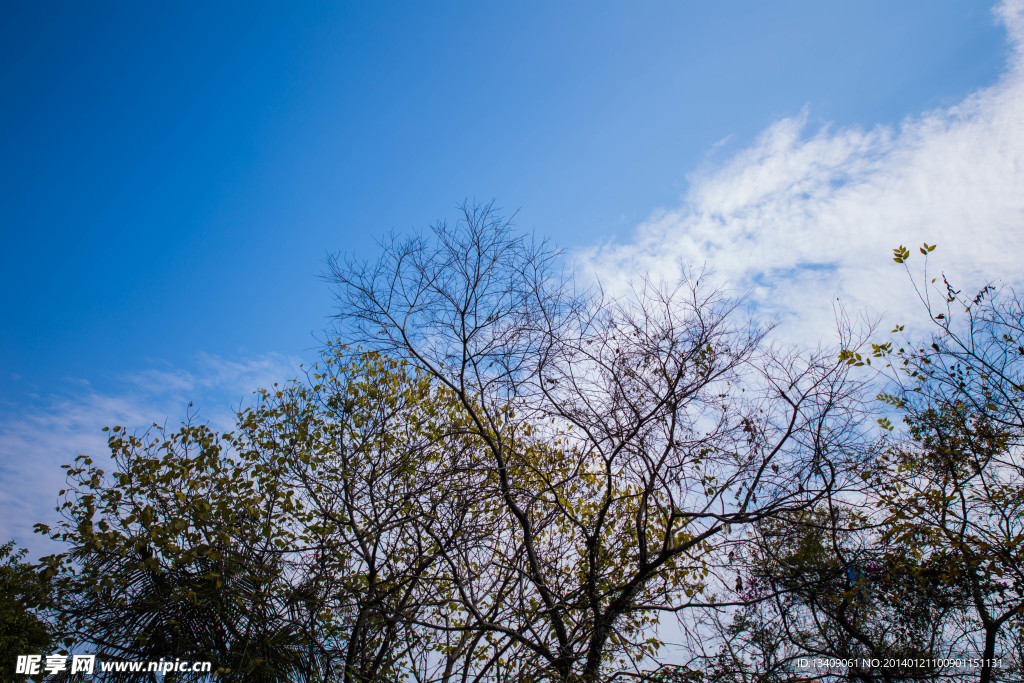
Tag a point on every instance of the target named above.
point(36, 441)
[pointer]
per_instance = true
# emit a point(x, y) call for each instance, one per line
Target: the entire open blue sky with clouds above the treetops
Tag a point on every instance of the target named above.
point(175, 175)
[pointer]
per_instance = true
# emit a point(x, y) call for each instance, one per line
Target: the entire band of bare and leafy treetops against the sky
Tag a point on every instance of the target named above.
point(499, 475)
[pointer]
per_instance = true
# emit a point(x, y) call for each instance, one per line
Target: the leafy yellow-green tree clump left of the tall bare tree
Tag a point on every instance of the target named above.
point(291, 549)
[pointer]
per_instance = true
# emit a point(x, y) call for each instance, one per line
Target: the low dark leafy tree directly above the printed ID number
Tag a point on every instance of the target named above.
point(825, 585)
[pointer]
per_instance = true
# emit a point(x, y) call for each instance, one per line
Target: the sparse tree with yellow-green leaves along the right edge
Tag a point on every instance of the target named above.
point(955, 495)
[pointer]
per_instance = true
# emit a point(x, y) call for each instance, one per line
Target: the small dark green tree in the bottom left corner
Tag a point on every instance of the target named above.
point(23, 595)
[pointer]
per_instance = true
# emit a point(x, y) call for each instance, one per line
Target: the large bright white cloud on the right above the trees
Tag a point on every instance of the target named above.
point(800, 219)
